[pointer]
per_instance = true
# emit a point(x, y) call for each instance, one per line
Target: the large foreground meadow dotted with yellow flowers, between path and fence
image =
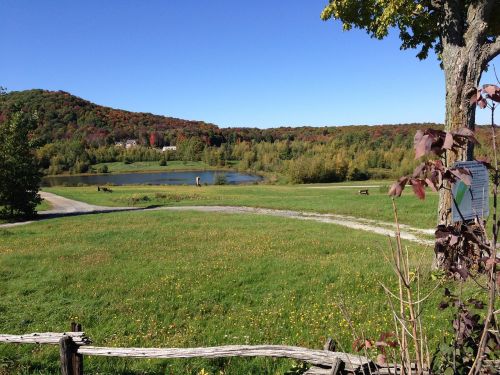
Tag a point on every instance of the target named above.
point(184, 279)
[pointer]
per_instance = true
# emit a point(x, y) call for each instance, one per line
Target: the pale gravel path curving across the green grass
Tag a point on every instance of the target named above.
point(66, 207)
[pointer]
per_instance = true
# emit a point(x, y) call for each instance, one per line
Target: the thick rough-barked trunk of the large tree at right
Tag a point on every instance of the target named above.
point(465, 55)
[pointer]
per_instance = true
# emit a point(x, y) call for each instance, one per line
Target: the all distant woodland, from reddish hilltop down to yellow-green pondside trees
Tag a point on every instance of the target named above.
point(73, 135)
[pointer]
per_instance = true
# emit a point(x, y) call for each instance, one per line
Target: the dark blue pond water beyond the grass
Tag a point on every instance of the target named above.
point(151, 178)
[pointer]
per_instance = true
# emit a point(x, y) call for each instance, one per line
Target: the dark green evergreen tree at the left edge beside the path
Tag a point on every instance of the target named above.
point(19, 174)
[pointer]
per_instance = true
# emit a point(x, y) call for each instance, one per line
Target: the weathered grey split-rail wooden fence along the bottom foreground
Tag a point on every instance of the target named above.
point(74, 345)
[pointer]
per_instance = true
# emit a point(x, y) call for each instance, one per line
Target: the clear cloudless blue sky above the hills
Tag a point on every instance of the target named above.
point(260, 63)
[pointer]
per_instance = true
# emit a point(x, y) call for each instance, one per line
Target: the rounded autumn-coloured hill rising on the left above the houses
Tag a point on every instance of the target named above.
point(64, 116)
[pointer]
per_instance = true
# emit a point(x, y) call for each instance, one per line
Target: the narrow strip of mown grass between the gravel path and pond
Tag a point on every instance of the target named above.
point(314, 198)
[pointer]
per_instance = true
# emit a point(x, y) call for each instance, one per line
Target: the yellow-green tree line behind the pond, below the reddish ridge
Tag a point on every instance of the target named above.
point(350, 155)
